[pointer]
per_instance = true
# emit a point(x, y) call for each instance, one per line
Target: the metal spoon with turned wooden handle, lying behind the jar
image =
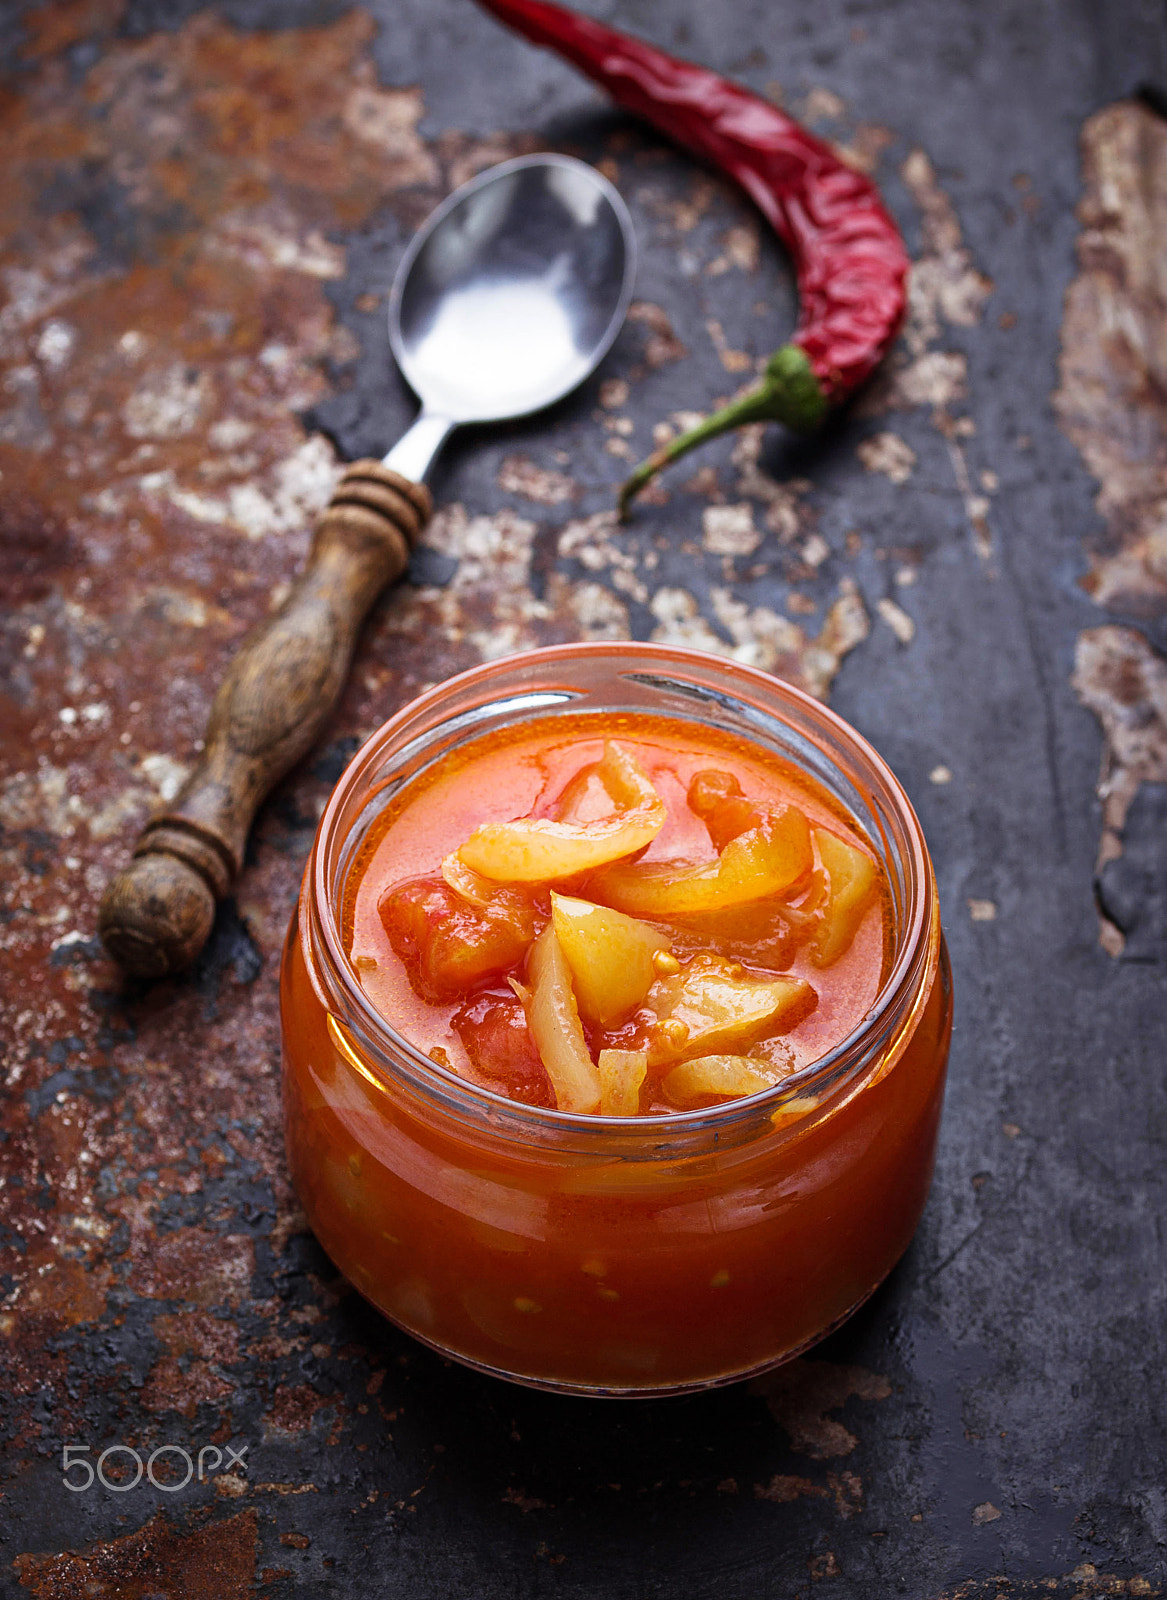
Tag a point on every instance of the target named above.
point(507, 300)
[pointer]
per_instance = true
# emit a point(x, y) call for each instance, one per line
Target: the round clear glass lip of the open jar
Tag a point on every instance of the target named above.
point(463, 1095)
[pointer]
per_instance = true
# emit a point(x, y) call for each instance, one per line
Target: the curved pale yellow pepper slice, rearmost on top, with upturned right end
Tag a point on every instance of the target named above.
point(537, 850)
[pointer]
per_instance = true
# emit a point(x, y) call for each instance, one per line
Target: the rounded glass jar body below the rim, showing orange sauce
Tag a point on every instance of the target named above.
point(636, 1260)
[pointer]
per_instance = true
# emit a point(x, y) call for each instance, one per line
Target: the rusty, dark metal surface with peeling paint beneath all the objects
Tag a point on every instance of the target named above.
point(201, 209)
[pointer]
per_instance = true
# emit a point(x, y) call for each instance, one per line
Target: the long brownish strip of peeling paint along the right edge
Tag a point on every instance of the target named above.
point(1110, 404)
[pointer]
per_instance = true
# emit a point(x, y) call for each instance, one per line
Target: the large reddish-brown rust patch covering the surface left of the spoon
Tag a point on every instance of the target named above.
point(170, 222)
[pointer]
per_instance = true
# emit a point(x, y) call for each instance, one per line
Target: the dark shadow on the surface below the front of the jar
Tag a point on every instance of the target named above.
point(593, 1478)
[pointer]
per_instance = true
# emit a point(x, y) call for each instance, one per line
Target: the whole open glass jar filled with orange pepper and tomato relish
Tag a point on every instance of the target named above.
point(616, 1020)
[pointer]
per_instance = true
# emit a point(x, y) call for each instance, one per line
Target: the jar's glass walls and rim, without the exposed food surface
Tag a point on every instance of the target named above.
point(620, 1257)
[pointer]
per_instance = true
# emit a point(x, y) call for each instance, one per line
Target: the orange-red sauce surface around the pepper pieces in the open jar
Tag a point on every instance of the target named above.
point(556, 767)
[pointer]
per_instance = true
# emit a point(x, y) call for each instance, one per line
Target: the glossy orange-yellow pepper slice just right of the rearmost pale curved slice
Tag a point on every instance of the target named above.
point(768, 860)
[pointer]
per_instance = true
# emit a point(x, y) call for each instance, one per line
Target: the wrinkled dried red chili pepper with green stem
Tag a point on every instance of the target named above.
point(849, 257)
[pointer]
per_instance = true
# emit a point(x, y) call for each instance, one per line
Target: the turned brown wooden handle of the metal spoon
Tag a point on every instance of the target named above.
point(278, 694)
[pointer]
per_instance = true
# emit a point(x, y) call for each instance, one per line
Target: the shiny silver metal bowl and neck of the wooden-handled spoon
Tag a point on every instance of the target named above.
point(508, 298)
